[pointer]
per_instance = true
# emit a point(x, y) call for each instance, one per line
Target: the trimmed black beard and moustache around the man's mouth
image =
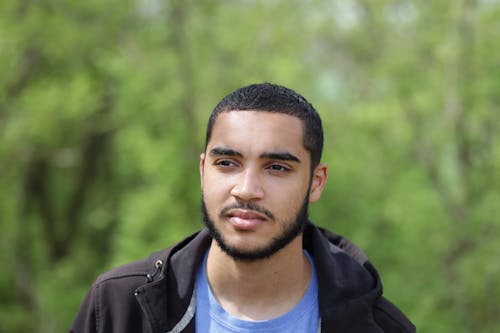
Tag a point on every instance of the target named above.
point(289, 231)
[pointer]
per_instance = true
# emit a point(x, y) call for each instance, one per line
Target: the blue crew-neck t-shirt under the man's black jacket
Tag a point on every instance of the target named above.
point(212, 318)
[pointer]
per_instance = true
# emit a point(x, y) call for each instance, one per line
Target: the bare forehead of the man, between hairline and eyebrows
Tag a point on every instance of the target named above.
point(258, 131)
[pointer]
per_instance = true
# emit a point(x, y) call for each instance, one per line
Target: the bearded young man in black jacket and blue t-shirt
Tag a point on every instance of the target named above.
point(259, 265)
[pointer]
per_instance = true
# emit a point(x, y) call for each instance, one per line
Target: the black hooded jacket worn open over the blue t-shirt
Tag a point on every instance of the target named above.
point(157, 294)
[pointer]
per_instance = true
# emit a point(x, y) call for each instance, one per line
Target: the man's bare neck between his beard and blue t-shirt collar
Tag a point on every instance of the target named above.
point(260, 289)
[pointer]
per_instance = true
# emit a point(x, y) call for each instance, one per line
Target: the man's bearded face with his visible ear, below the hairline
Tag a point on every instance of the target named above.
point(256, 182)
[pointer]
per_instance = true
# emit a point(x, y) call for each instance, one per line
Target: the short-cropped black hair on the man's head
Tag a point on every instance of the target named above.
point(270, 97)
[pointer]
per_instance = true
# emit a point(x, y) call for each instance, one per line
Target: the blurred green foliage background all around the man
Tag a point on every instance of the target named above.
point(103, 106)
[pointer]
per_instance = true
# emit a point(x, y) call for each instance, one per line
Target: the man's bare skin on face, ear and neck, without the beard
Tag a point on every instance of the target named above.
point(258, 158)
